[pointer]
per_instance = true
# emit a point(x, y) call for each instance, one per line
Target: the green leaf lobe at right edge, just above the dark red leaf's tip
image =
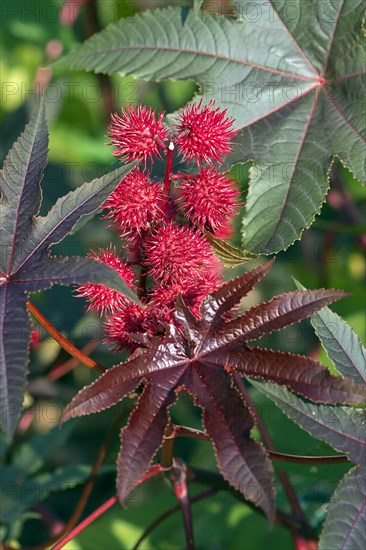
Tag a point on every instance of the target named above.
point(341, 343)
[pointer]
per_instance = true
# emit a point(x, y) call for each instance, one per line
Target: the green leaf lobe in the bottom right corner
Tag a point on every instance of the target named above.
point(345, 526)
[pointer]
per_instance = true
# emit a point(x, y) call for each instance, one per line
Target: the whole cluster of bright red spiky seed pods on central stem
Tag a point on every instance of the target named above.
point(163, 223)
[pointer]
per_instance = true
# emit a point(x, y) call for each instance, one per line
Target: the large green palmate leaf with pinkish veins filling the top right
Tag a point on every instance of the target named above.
point(294, 80)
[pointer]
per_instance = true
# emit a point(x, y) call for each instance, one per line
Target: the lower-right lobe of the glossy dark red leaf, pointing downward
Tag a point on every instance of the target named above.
point(242, 461)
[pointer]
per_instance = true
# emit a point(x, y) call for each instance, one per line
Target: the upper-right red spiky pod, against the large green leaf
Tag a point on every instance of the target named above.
point(204, 132)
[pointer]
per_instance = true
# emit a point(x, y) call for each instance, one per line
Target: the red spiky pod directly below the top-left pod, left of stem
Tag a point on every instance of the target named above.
point(134, 204)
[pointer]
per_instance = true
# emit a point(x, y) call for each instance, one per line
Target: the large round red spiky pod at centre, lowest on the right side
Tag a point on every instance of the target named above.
point(175, 254)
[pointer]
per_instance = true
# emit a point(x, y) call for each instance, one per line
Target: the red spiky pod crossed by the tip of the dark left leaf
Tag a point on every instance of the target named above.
point(101, 298)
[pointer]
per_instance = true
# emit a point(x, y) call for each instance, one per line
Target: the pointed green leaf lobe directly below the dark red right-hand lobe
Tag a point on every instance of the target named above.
point(341, 427)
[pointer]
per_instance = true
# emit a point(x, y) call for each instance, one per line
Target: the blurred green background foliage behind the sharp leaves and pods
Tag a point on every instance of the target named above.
point(330, 254)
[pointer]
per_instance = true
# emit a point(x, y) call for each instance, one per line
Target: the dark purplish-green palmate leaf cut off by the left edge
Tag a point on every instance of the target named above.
point(25, 261)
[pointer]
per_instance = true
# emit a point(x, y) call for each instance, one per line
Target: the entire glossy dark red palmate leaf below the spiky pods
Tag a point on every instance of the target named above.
point(201, 355)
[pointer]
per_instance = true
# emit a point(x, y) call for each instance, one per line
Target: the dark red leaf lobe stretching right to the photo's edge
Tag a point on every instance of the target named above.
point(298, 373)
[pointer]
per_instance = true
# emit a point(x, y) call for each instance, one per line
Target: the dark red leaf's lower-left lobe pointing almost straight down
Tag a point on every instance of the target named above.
point(143, 435)
